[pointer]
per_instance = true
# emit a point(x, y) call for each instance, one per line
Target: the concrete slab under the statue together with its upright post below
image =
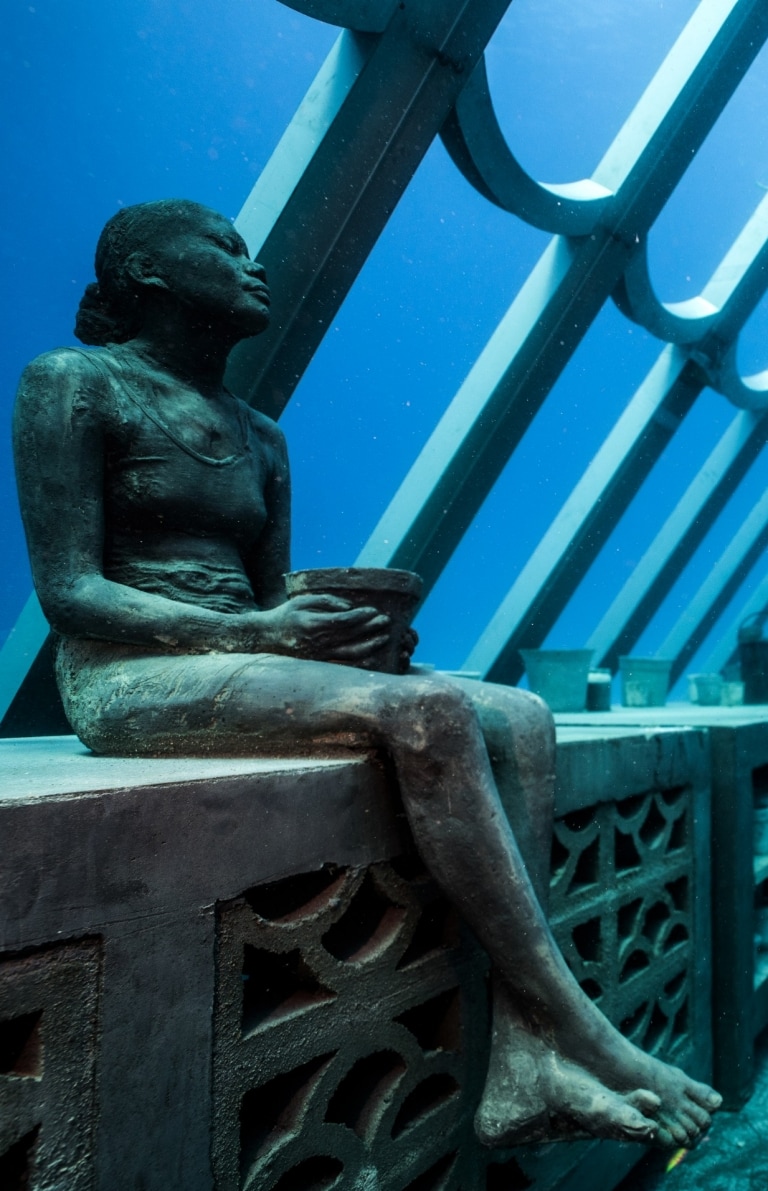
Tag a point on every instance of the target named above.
point(140, 859)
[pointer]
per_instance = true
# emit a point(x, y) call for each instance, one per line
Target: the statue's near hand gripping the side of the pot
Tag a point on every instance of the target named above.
point(323, 628)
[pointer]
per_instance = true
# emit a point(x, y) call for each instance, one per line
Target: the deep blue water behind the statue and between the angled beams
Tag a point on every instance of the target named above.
point(140, 99)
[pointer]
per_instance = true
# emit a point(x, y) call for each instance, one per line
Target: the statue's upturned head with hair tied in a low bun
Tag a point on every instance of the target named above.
point(176, 252)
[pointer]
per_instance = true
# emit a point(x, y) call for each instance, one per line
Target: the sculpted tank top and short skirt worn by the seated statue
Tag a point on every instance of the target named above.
point(179, 523)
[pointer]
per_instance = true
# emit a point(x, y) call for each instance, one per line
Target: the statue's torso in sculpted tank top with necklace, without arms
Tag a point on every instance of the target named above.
point(180, 522)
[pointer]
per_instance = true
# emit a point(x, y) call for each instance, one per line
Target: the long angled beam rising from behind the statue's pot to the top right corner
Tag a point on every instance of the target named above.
point(482, 428)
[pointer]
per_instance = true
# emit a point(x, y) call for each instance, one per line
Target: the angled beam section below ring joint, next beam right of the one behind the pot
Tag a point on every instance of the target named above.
point(583, 526)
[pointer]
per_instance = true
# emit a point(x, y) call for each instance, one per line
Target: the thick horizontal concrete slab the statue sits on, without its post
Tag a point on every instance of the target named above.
point(151, 838)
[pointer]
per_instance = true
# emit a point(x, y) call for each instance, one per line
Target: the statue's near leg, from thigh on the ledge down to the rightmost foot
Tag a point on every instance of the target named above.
point(209, 703)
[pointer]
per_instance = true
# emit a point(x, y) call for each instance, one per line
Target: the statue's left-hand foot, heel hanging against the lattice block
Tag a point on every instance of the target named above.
point(533, 1094)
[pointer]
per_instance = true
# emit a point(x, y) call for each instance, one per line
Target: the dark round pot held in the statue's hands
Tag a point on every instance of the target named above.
point(394, 593)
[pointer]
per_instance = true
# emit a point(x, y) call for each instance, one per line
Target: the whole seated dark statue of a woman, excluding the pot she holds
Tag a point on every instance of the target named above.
point(158, 516)
